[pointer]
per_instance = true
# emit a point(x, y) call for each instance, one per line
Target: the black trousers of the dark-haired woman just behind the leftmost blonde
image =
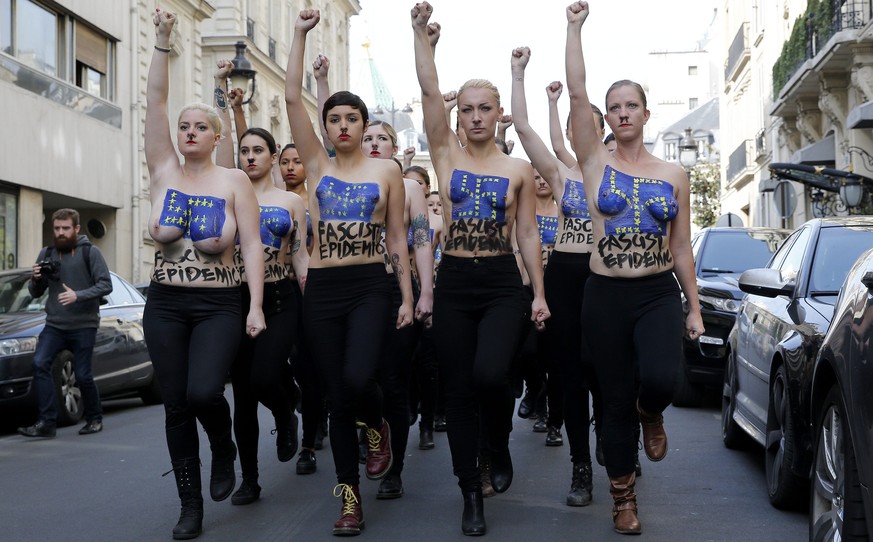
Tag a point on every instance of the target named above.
point(261, 372)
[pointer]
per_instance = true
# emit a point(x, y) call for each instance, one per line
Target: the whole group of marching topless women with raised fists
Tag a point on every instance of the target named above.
point(342, 267)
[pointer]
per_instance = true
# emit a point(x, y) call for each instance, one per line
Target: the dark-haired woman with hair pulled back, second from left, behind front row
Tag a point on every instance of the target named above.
point(260, 372)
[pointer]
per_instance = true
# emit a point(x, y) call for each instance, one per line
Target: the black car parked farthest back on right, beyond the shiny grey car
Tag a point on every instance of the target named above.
point(720, 255)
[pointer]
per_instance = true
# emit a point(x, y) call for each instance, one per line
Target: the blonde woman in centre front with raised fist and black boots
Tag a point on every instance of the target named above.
point(479, 303)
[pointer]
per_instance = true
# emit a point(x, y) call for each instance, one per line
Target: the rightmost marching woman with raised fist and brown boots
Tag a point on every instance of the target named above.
point(632, 310)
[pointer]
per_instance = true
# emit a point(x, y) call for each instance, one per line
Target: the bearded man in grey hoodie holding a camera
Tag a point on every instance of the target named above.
point(77, 277)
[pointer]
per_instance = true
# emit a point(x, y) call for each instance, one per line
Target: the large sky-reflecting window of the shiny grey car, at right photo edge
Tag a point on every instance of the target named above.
point(838, 249)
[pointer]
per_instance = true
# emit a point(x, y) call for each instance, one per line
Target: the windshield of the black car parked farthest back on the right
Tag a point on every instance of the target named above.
point(736, 251)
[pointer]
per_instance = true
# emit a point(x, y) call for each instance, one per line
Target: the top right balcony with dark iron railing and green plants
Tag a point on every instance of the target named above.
point(812, 32)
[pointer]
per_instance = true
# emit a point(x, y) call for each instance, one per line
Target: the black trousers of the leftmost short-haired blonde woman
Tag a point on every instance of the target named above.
point(192, 336)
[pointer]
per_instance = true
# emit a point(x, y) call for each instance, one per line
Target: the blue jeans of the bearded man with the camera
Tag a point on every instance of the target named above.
point(81, 343)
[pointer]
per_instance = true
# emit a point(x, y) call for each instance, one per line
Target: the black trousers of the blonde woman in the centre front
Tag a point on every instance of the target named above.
point(479, 312)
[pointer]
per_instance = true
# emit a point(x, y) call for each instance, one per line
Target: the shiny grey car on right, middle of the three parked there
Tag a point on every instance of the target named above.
point(774, 343)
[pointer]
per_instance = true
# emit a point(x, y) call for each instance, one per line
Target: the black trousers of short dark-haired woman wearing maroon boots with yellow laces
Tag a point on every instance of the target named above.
point(345, 310)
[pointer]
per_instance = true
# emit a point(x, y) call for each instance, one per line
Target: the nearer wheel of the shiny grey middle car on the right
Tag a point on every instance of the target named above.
point(785, 489)
